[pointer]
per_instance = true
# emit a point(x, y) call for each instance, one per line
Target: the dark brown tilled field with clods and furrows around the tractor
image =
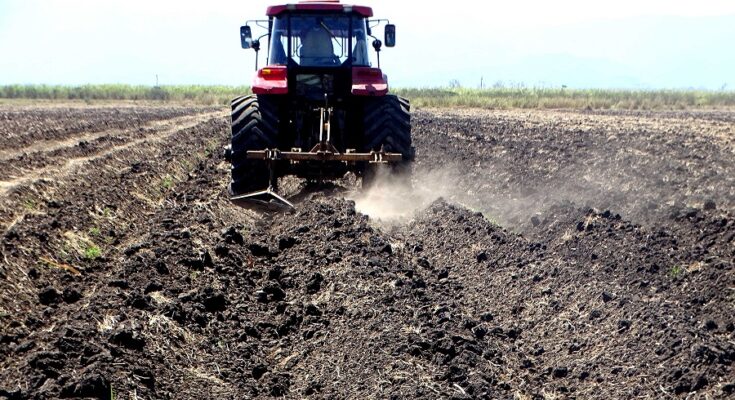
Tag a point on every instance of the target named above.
point(539, 255)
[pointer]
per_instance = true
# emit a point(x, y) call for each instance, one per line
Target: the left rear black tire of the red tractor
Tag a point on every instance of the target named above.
point(254, 127)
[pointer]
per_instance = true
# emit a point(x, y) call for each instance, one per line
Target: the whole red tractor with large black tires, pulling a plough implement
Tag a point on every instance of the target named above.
point(319, 109)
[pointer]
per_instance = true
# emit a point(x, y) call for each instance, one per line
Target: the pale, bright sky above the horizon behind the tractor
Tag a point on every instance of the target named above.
point(578, 43)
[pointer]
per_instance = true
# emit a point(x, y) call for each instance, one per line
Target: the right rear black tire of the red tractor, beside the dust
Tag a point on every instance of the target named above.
point(387, 124)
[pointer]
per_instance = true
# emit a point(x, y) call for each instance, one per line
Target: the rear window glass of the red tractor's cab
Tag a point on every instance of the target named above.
point(319, 40)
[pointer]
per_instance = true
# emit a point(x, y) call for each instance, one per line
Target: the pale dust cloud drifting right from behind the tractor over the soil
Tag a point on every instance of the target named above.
point(504, 197)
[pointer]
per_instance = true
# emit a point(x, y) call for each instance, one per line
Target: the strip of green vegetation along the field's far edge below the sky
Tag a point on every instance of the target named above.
point(493, 98)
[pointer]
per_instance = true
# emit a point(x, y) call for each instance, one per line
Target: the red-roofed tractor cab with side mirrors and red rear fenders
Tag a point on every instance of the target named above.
point(318, 48)
